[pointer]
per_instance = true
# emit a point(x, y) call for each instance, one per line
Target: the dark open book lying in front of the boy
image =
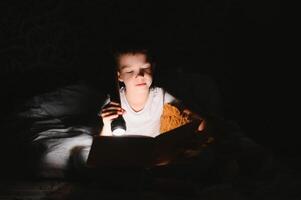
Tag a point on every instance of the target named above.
point(143, 151)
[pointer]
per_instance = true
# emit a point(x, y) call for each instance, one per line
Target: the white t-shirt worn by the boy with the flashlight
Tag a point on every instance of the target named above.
point(146, 122)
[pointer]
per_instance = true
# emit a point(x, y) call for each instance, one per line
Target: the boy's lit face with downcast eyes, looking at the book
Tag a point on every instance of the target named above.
point(135, 71)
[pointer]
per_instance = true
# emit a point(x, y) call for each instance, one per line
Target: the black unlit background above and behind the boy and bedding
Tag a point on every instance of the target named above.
point(245, 46)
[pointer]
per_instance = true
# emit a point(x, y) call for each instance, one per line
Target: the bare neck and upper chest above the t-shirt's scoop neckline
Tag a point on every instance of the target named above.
point(137, 100)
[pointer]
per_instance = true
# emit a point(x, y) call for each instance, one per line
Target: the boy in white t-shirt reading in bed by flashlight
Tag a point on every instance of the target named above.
point(142, 105)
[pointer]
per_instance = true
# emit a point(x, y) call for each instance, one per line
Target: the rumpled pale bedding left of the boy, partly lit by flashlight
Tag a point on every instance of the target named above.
point(53, 126)
